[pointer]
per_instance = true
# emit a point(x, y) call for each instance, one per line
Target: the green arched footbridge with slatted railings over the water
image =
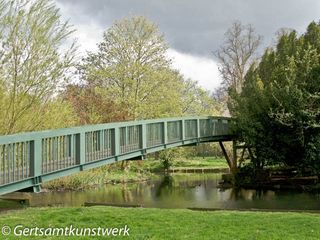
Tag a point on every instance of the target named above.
point(28, 159)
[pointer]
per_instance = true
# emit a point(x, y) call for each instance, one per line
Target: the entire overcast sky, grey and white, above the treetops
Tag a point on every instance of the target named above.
point(194, 29)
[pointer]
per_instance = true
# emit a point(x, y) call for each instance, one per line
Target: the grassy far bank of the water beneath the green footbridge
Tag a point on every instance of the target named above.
point(132, 171)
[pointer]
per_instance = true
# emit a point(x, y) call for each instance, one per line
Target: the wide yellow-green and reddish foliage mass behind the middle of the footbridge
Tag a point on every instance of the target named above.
point(131, 77)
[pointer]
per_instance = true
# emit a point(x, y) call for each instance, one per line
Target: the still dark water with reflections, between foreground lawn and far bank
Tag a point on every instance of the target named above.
point(181, 191)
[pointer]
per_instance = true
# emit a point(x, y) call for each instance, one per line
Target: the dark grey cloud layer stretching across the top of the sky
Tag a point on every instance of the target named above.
point(197, 27)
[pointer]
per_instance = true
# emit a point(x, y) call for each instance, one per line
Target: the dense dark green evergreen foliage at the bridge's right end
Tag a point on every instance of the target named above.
point(278, 109)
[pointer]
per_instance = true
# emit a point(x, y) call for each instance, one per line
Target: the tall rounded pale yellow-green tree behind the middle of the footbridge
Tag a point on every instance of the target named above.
point(132, 69)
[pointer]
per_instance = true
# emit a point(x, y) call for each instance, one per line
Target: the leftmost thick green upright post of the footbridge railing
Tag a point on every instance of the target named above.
point(35, 157)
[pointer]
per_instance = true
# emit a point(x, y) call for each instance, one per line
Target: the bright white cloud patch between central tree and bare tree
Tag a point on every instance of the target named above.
point(201, 69)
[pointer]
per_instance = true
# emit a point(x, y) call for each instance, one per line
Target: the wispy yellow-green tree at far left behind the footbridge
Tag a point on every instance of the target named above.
point(32, 65)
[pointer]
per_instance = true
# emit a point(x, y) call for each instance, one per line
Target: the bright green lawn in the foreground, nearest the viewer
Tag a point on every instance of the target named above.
point(172, 224)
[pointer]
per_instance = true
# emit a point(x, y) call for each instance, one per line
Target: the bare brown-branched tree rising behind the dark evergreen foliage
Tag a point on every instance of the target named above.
point(236, 55)
